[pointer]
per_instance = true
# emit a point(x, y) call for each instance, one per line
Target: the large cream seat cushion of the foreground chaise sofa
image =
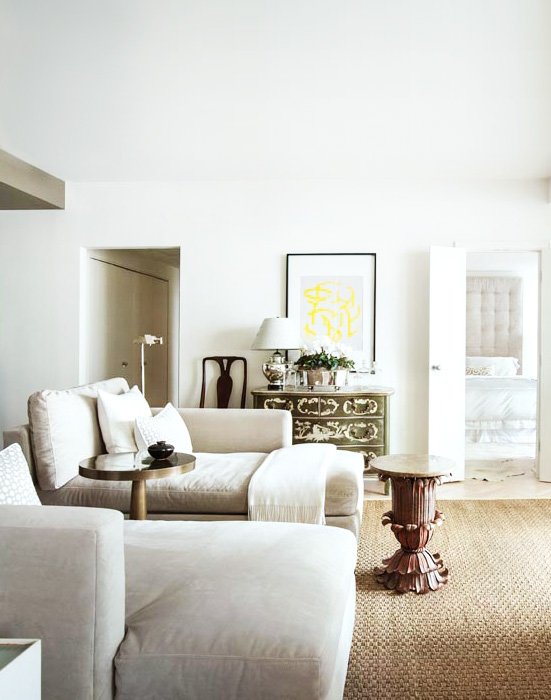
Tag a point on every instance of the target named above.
point(232, 610)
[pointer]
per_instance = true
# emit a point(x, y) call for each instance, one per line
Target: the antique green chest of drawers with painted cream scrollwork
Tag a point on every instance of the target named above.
point(352, 418)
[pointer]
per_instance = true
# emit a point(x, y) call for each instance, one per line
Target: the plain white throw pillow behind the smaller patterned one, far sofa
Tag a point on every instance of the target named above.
point(117, 414)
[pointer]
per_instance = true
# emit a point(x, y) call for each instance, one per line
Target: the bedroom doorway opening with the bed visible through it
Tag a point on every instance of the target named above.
point(501, 364)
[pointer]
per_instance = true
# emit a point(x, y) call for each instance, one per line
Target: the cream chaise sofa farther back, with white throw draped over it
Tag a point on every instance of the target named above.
point(229, 445)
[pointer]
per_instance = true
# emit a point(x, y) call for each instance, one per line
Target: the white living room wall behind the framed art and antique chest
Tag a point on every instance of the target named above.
point(233, 238)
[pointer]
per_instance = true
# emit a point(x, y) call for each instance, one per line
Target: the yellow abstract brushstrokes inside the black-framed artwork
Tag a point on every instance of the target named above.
point(333, 308)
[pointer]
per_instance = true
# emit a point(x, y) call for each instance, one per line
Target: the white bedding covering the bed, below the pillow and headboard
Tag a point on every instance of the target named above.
point(500, 409)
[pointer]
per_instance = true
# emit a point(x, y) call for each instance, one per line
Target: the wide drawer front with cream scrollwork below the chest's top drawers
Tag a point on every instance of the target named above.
point(361, 431)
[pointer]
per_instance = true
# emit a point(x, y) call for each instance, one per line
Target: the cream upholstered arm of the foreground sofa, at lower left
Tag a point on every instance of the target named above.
point(62, 581)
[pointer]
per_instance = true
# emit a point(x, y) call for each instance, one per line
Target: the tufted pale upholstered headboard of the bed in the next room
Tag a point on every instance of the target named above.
point(494, 316)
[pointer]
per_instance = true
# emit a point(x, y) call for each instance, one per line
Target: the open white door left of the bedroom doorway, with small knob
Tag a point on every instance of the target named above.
point(447, 355)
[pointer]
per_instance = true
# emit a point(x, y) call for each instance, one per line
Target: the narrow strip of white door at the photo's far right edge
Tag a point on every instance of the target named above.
point(544, 403)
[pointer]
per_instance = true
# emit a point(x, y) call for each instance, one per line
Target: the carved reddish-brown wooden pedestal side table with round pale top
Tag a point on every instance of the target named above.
point(412, 520)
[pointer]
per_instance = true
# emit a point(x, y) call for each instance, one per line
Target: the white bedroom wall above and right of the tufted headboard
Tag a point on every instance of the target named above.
point(526, 266)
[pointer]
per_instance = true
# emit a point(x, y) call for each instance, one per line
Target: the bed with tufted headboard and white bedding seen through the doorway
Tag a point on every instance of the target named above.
point(500, 403)
